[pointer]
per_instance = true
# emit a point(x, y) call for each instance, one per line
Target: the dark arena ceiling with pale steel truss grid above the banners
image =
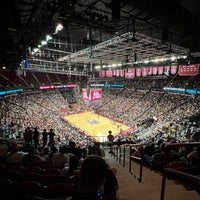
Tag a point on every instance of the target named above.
point(99, 32)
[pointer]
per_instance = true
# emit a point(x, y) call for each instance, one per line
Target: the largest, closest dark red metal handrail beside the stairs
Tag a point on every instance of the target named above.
point(174, 171)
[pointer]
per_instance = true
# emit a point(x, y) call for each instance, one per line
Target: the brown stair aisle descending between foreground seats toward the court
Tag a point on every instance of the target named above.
point(150, 187)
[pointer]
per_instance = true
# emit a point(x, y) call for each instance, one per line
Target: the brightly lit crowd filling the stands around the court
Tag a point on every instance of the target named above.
point(151, 113)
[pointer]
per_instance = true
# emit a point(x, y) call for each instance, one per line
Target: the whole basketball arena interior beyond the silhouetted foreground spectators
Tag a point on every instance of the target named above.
point(82, 68)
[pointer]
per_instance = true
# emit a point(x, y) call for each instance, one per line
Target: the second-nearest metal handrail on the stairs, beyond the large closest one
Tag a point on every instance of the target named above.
point(140, 159)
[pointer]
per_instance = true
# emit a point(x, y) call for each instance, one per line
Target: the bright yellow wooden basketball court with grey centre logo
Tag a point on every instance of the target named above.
point(96, 125)
